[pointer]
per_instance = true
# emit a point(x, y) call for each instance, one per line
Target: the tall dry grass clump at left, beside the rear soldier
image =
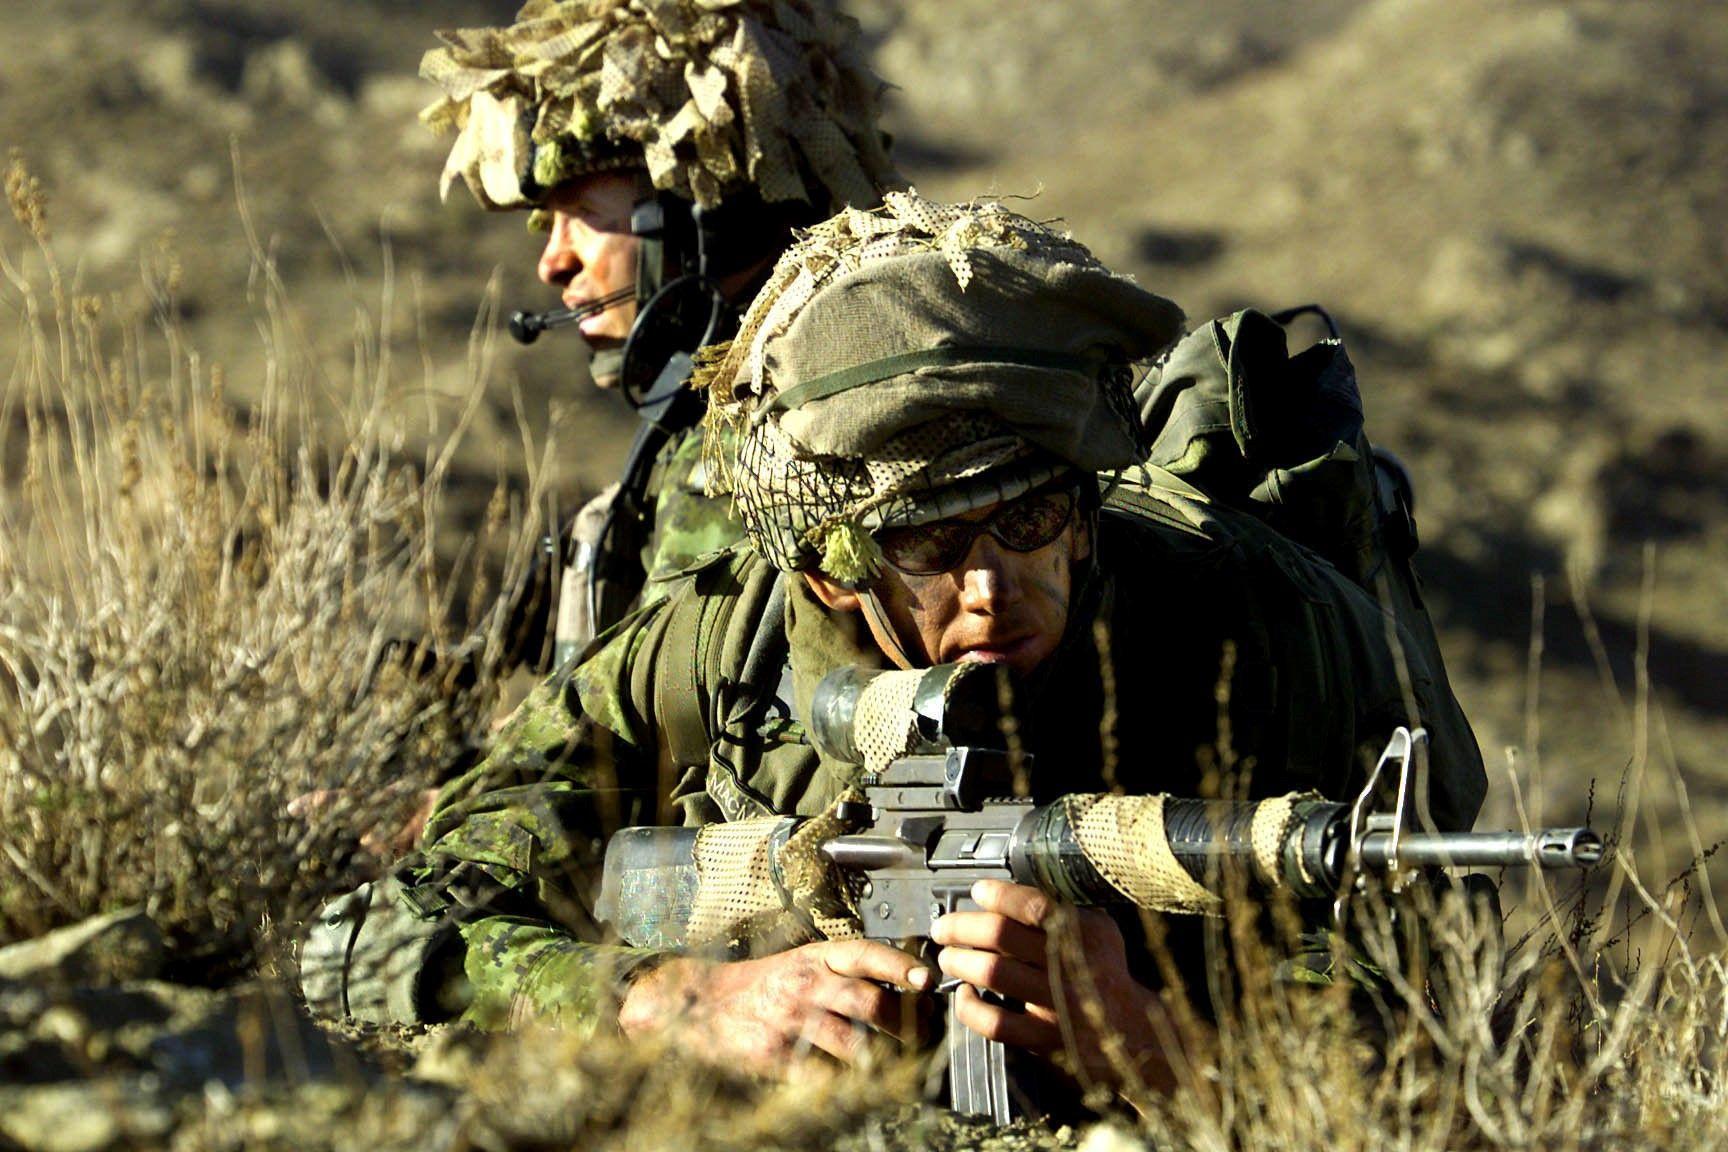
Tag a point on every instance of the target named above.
point(206, 614)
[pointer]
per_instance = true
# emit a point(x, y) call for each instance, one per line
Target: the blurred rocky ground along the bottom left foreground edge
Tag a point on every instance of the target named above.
point(99, 1051)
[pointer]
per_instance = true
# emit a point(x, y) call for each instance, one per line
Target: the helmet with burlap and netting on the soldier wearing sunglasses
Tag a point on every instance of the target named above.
point(920, 362)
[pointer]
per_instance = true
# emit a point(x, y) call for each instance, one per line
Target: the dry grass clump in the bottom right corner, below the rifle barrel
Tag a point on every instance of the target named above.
point(1480, 1048)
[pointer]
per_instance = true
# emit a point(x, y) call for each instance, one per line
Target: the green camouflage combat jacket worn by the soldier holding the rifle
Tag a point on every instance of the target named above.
point(1205, 621)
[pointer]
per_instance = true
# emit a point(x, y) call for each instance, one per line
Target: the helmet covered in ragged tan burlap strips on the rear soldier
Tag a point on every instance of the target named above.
point(709, 96)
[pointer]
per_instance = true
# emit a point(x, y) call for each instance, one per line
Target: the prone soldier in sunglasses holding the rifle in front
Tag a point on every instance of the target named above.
point(920, 405)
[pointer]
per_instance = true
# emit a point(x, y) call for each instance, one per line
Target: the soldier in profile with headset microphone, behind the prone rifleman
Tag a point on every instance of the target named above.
point(668, 149)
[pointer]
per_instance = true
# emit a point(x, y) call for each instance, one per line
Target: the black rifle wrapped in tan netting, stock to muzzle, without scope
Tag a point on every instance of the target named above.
point(1162, 854)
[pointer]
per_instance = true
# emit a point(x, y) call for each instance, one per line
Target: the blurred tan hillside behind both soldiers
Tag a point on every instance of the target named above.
point(1516, 210)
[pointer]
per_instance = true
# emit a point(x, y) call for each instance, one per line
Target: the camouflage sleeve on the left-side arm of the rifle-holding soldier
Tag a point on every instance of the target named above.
point(514, 849)
